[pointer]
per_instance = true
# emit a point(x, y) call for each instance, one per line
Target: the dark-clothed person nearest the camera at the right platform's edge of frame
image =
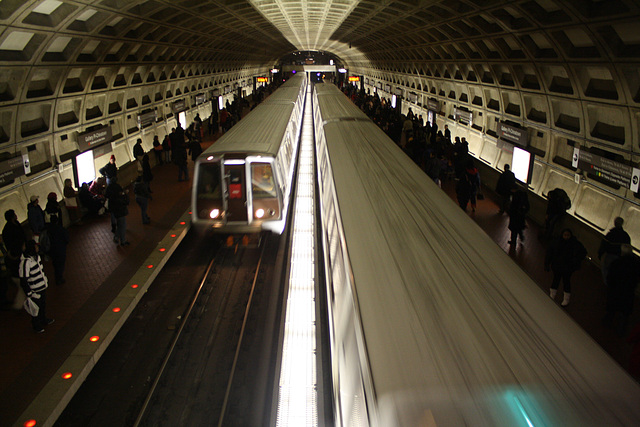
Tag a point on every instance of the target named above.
point(622, 280)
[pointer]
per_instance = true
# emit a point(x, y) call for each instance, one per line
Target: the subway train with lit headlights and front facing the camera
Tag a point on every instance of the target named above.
point(242, 183)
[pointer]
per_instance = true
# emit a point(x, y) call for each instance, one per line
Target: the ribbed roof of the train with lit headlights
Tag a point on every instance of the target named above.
point(260, 131)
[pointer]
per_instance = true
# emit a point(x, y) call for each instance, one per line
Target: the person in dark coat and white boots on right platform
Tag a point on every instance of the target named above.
point(564, 257)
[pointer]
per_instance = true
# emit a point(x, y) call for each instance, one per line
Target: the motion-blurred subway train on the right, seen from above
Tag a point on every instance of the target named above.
point(431, 323)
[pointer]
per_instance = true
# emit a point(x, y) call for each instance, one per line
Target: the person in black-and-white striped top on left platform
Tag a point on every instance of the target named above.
point(34, 284)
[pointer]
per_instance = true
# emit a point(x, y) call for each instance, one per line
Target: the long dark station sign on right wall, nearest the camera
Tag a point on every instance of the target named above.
point(607, 169)
